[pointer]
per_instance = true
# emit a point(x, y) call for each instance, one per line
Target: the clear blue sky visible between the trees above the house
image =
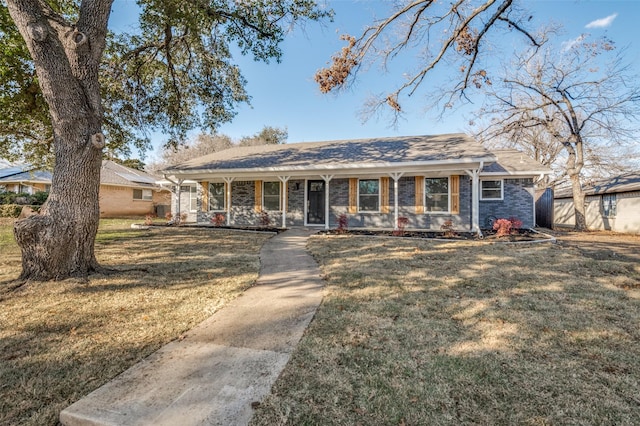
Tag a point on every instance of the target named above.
point(285, 94)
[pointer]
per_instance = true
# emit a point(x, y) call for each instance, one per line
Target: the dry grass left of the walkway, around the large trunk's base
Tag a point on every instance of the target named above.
point(61, 340)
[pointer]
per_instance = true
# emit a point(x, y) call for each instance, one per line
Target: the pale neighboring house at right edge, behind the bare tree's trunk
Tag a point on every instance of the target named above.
point(610, 204)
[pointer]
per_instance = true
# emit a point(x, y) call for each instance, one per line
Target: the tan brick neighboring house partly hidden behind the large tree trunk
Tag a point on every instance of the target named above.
point(123, 191)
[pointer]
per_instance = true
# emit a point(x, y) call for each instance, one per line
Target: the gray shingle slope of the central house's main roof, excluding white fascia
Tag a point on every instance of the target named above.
point(370, 152)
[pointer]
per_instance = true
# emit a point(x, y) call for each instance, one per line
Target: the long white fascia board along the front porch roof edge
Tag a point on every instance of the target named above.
point(337, 169)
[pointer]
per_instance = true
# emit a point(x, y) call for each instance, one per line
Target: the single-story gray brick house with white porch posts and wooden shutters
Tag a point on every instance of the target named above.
point(428, 179)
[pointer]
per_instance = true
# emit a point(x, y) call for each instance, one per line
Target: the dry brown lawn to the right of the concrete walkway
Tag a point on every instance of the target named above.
point(419, 332)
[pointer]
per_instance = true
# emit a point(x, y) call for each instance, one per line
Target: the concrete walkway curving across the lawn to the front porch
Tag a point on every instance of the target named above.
point(224, 364)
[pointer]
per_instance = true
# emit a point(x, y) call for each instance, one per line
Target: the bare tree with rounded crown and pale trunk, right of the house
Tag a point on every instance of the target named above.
point(580, 98)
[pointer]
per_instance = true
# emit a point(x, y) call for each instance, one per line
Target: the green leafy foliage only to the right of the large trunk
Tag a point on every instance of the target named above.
point(178, 73)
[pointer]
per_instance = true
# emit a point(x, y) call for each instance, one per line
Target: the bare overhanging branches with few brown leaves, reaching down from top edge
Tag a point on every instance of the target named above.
point(453, 34)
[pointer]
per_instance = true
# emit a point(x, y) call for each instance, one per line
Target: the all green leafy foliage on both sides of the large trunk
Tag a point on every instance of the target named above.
point(176, 74)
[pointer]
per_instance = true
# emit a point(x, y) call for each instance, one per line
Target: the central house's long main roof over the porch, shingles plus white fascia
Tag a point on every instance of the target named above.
point(377, 155)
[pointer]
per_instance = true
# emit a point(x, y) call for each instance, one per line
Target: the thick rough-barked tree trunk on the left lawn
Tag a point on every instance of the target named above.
point(59, 242)
